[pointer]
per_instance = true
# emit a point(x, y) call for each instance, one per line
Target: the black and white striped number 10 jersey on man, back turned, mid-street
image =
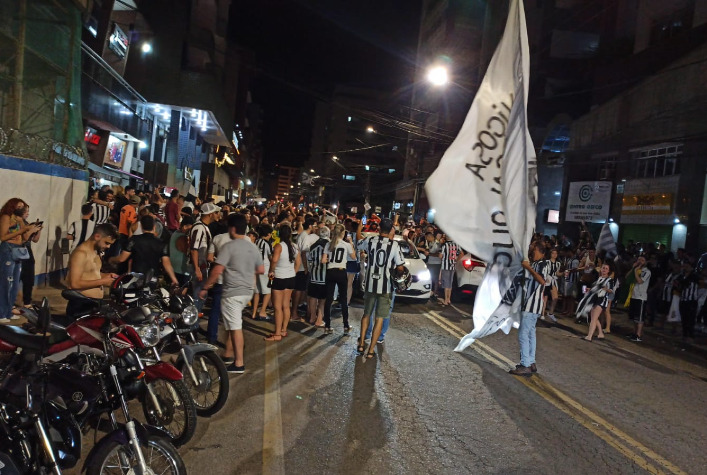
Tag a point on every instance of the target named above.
point(382, 254)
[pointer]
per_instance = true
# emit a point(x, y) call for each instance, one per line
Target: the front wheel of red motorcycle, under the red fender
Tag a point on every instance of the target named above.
point(178, 417)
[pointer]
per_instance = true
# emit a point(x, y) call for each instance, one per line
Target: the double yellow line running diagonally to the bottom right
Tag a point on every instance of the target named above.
point(622, 442)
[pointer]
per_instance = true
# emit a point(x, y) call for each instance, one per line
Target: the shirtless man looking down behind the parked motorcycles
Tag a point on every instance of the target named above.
point(85, 266)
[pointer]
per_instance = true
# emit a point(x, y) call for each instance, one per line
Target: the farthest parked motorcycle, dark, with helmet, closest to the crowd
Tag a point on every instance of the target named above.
point(205, 374)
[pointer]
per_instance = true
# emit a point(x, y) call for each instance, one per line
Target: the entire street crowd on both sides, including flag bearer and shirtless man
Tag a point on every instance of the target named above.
point(272, 261)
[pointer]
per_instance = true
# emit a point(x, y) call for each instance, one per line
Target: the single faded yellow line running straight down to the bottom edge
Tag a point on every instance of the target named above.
point(273, 449)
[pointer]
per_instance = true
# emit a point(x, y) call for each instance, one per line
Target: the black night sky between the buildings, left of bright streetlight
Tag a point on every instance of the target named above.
point(304, 48)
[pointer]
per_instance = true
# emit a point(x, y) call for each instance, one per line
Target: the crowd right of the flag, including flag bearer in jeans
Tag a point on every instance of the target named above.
point(658, 288)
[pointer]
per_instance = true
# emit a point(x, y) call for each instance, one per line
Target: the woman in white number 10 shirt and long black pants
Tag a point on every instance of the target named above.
point(336, 254)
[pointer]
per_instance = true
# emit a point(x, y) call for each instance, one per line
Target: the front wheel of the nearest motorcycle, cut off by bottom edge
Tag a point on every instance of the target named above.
point(116, 458)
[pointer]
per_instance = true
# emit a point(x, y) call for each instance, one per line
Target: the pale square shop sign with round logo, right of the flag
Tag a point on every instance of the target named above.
point(588, 201)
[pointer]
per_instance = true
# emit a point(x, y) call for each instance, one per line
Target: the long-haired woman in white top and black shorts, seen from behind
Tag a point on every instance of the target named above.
point(284, 261)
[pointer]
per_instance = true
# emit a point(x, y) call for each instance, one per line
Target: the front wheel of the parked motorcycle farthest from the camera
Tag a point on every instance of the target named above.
point(210, 390)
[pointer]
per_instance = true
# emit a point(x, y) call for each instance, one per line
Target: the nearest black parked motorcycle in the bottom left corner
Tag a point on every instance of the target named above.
point(44, 405)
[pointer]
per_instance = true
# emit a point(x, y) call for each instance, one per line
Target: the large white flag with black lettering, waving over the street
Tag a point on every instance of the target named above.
point(485, 187)
